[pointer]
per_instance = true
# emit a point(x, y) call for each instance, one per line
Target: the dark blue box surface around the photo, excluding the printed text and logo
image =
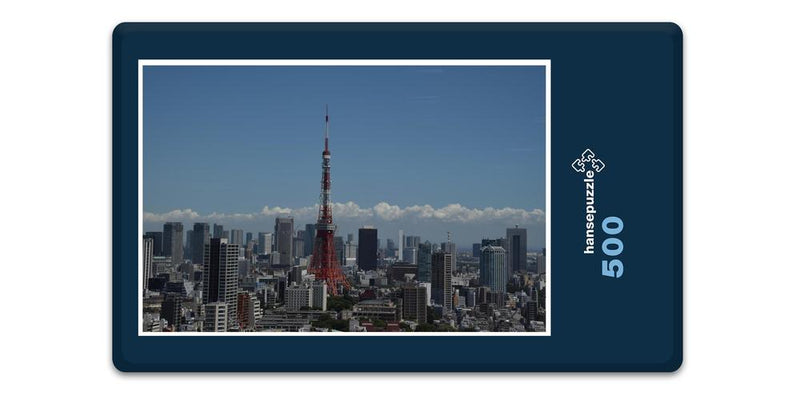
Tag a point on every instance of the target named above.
point(616, 88)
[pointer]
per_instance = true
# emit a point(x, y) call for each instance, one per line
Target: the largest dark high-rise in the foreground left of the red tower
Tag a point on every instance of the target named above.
point(221, 275)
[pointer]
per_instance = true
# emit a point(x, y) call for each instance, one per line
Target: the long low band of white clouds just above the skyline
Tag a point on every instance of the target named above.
point(383, 211)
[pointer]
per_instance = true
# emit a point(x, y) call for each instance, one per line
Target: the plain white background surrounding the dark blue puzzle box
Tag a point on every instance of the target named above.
point(740, 152)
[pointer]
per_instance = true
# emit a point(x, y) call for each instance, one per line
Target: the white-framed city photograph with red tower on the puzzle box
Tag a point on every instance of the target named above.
point(352, 199)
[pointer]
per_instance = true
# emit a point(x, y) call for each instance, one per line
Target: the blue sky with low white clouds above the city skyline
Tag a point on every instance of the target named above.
point(220, 141)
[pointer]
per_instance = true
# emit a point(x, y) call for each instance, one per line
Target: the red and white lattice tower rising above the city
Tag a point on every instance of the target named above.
point(324, 264)
